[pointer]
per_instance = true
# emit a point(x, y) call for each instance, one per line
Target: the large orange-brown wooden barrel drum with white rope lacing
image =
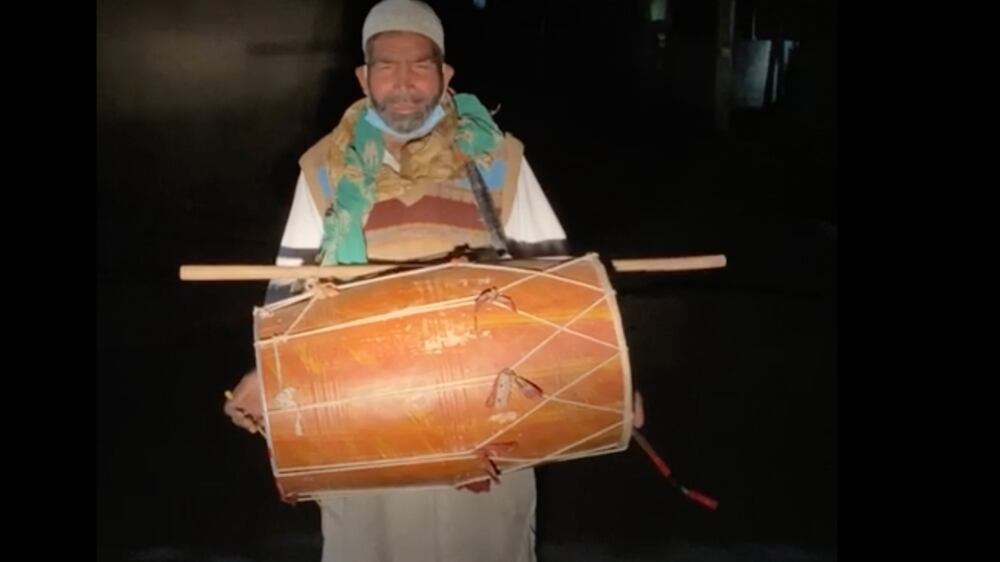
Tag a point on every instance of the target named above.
point(443, 376)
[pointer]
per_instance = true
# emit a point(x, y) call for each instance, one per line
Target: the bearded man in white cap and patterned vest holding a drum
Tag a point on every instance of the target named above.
point(413, 172)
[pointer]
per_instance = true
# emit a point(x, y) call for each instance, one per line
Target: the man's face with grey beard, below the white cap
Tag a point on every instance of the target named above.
point(403, 78)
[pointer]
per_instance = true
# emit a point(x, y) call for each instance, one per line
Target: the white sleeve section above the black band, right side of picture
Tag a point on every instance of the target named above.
point(532, 218)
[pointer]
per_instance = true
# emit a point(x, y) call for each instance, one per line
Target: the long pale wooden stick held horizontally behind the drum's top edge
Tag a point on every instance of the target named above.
point(346, 272)
